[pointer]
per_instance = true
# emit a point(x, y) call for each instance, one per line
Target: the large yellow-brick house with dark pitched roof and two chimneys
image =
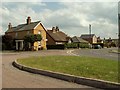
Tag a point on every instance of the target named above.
point(20, 31)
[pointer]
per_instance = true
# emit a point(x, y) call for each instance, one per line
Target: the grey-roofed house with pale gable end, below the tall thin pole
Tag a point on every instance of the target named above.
point(91, 38)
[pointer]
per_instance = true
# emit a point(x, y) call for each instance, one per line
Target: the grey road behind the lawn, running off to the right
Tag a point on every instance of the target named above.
point(100, 53)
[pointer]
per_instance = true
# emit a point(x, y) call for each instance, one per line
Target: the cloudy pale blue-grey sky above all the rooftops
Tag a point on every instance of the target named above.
point(73, 18)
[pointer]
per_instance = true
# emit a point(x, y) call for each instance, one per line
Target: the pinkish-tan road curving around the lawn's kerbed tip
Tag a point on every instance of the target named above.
point(15, 78)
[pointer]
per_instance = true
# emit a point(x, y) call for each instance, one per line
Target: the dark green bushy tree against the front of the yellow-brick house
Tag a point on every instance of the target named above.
point(31, 39)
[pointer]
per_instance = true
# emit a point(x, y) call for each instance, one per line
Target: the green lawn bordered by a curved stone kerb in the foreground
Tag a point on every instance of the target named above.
point(97, 68)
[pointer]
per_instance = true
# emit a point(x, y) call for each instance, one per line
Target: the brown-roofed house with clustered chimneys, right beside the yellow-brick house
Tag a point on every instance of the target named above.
point(56, 37)
